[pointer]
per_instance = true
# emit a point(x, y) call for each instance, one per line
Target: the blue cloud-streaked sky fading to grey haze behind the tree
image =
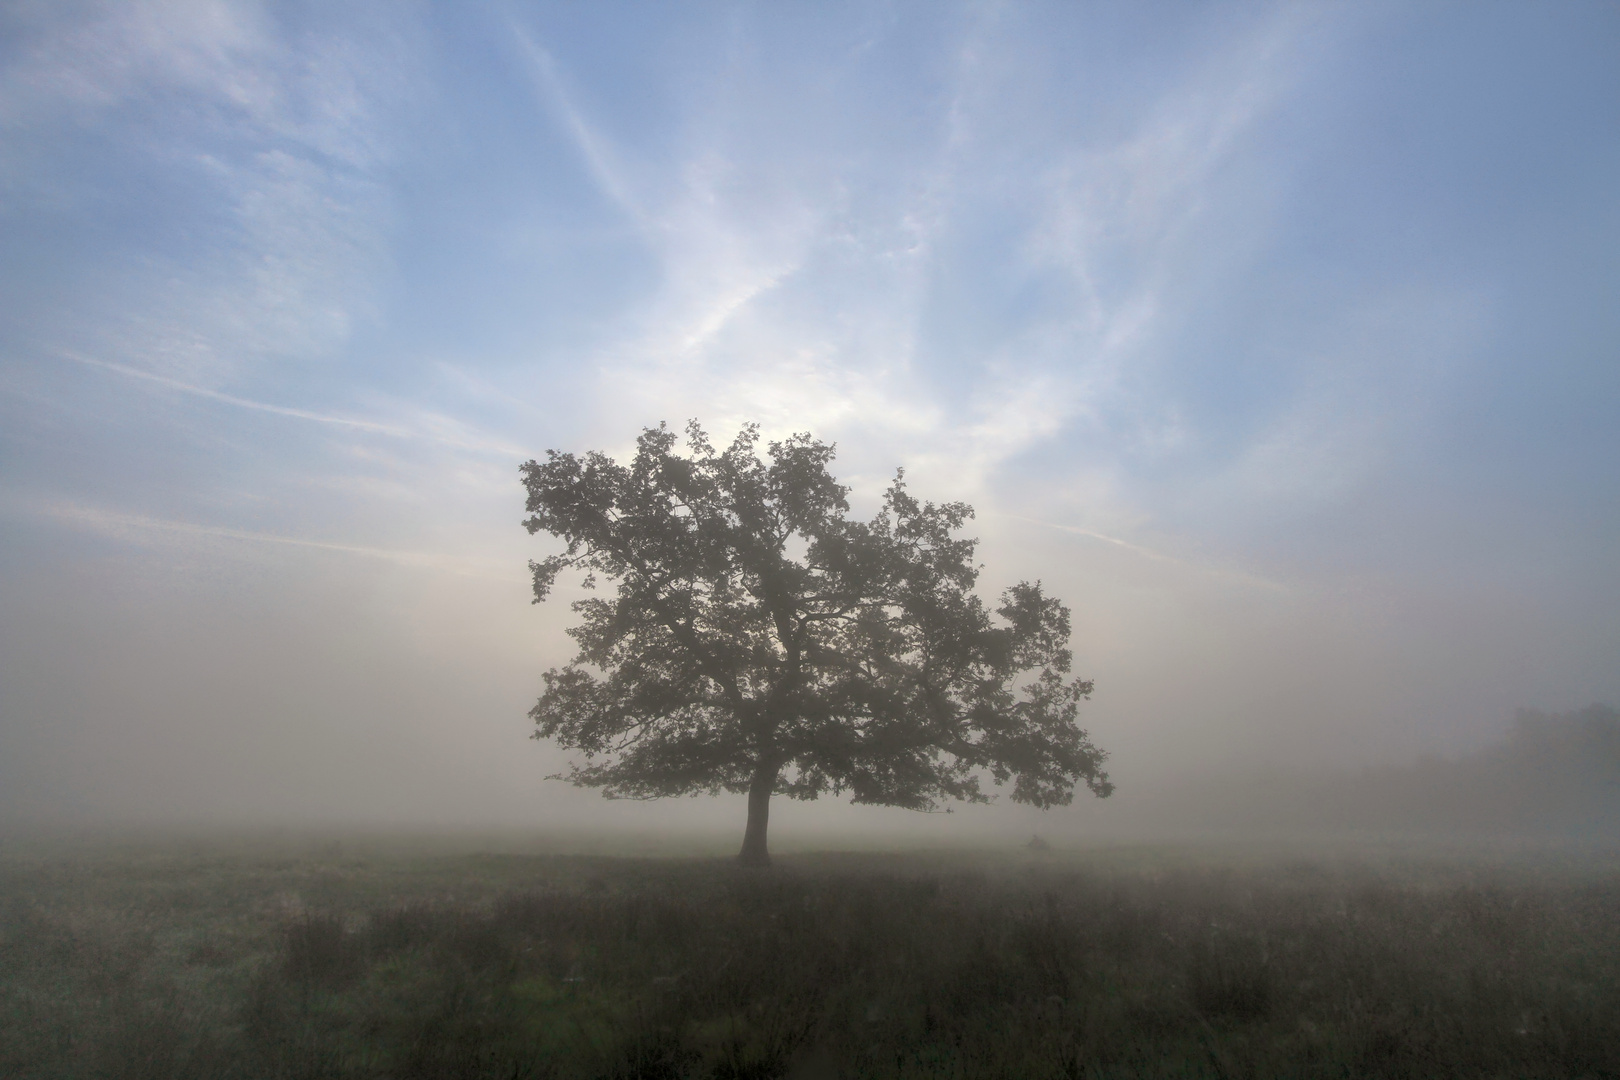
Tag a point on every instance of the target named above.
point(1281, 341)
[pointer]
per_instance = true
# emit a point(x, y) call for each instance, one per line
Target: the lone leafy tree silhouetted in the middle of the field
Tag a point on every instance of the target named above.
point(762, 642)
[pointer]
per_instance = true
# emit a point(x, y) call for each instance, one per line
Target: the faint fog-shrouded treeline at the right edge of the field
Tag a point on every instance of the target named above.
point(1553, 775)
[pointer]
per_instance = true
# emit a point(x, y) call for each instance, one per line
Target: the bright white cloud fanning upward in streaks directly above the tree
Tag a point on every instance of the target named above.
point(752, 318)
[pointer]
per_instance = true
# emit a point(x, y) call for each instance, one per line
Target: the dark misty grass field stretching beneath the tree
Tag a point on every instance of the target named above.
point(386, 961)
